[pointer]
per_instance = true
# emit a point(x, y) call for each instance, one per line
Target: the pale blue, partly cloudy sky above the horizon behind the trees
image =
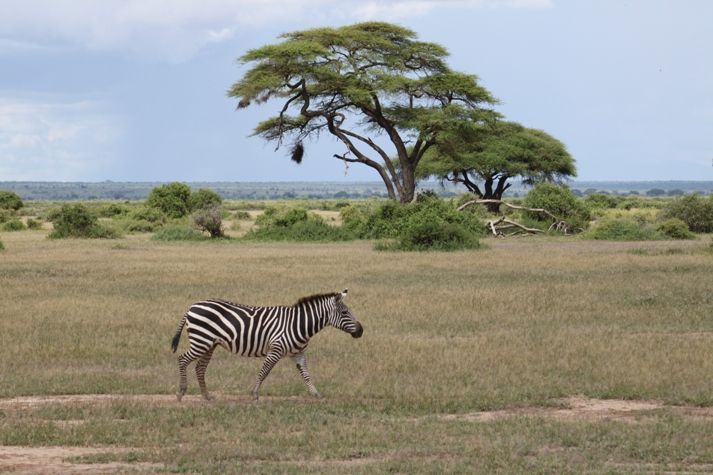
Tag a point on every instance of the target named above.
point(135, 90)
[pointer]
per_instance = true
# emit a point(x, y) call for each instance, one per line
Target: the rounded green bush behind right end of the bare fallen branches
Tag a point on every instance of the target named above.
point(558, 200)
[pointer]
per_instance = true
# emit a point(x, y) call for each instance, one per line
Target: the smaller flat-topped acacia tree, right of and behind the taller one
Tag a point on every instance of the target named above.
point(484, 157)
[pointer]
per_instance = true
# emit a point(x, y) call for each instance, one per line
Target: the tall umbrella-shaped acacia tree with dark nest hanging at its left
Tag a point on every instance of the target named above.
point(359, 83)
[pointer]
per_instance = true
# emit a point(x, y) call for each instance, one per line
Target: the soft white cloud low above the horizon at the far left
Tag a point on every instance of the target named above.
point(55, 140)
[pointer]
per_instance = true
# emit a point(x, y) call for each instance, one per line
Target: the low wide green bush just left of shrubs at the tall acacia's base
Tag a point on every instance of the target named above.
point(295, 224)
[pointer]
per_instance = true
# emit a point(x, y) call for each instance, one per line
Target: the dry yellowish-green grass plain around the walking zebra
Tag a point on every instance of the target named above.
point(493, 360)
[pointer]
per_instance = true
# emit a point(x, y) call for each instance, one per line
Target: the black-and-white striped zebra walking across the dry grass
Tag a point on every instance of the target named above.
point(270, 332)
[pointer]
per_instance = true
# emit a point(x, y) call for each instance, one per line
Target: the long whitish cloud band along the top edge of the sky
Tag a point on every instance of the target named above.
point(174, 30)
